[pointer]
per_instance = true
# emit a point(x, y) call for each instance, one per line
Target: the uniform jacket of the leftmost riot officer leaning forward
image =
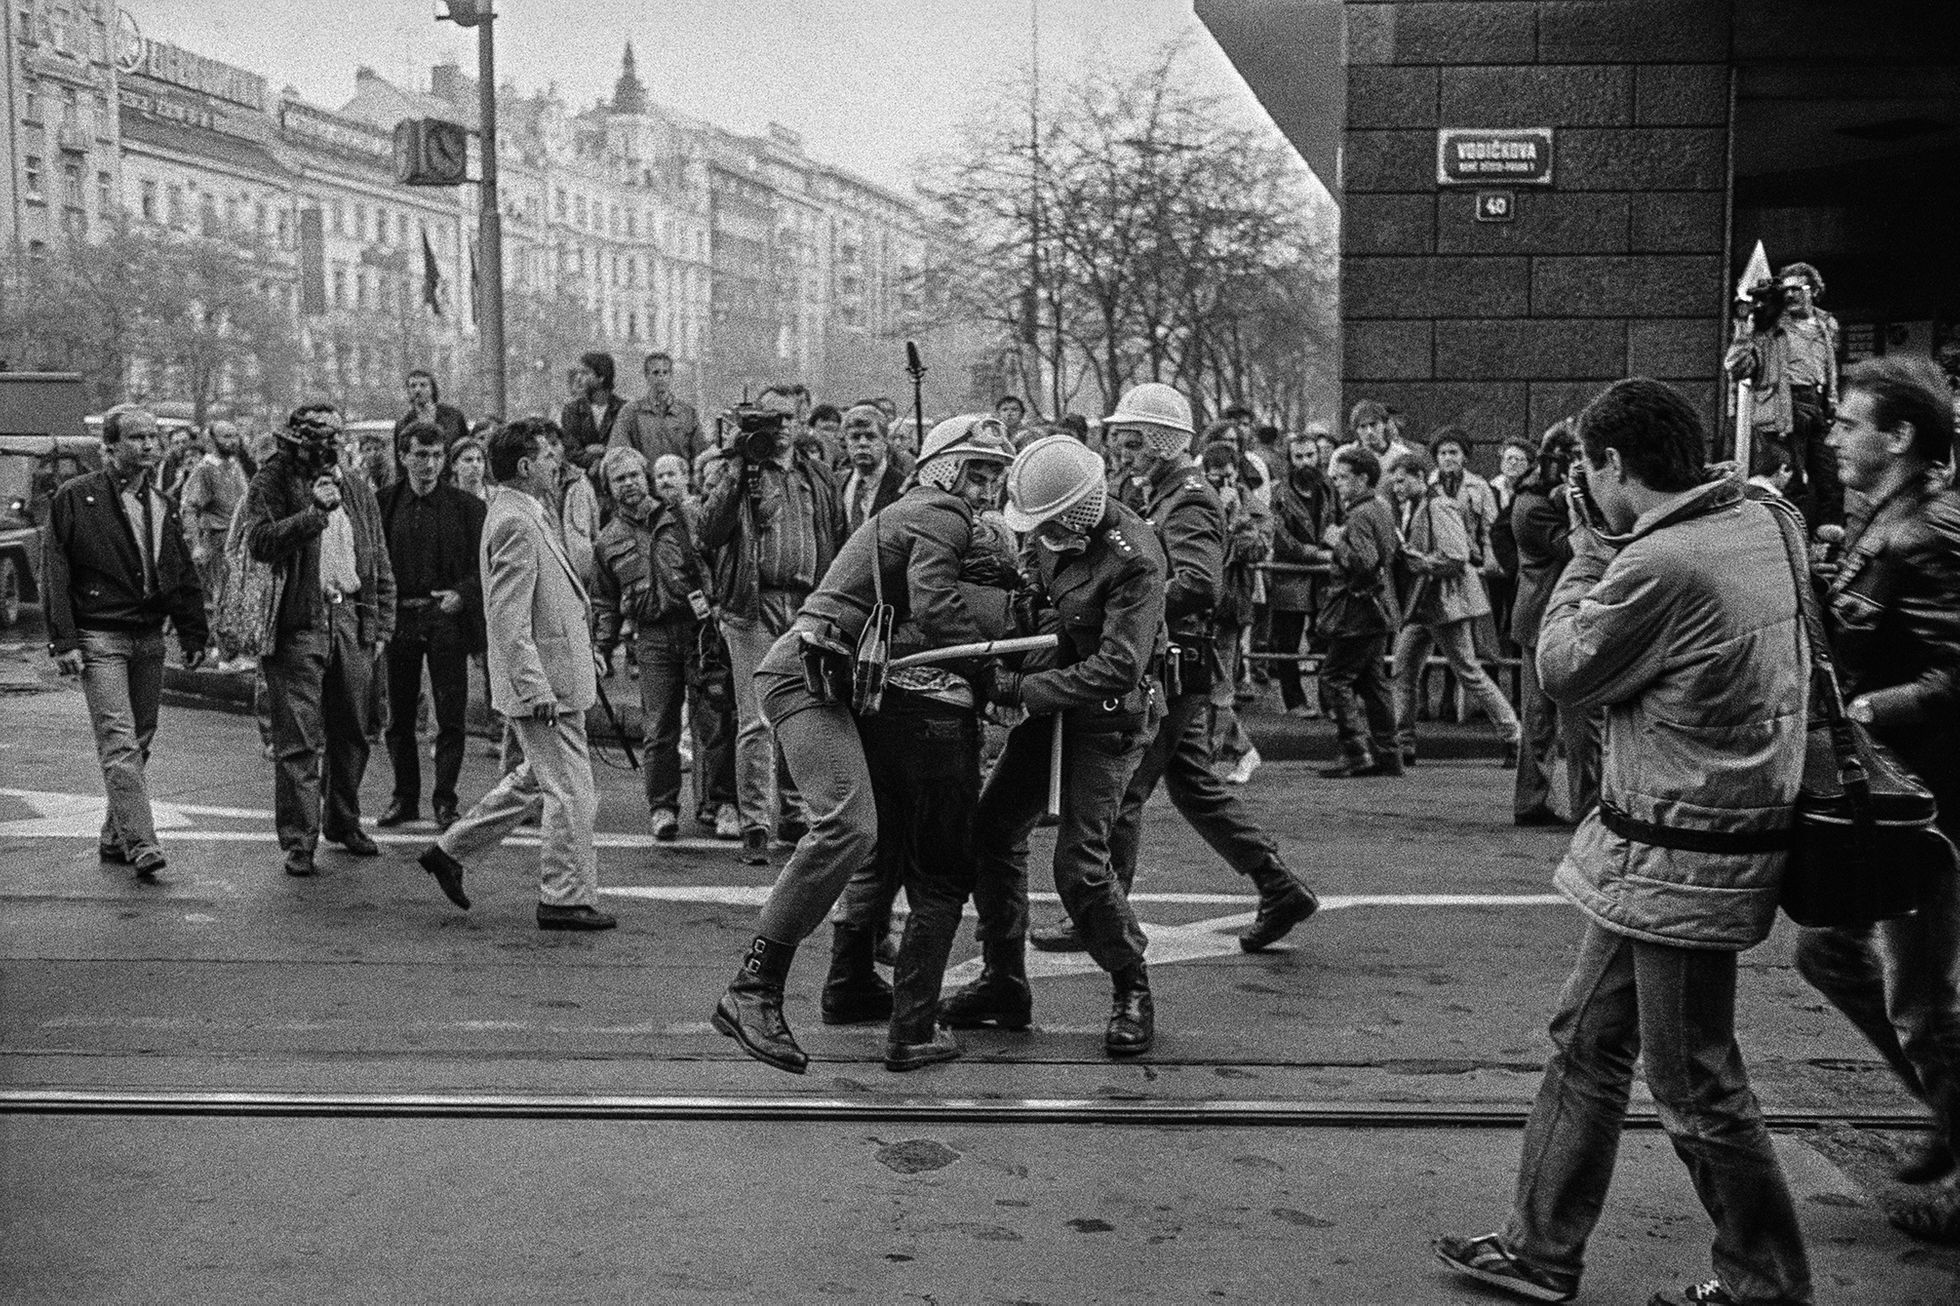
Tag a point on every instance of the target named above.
point(918, 544)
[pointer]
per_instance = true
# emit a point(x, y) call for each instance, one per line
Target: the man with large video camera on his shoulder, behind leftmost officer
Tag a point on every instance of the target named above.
point(775, 523)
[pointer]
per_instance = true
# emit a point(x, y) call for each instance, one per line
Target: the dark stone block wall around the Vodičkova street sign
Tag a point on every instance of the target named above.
point(1612, 272)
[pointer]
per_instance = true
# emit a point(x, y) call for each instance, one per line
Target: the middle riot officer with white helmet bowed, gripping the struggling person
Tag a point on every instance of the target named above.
point(1101, 585)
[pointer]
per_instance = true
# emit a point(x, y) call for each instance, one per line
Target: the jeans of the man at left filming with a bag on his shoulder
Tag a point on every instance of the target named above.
point(320, 683)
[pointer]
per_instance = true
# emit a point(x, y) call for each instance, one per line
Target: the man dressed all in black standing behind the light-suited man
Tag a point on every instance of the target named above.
point(434, 532)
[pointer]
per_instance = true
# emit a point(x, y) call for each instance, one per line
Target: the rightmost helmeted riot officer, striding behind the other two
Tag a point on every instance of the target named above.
point(1151, 430)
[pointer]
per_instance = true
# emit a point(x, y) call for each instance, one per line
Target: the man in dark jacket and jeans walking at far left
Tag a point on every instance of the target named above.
point(115, 570)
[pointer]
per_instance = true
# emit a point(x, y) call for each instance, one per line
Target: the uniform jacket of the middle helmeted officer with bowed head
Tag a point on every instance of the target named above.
point(1108, 607)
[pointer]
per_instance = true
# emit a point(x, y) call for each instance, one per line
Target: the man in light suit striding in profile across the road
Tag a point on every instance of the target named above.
point(544, 681)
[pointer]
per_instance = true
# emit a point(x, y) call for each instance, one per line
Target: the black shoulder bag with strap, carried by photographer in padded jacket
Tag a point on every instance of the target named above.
point(1865, 842)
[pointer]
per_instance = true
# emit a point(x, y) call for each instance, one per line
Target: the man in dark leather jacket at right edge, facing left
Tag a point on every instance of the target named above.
point(1894, 621)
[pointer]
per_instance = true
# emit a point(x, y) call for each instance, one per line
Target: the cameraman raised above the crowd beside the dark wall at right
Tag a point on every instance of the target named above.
point(1790, 362)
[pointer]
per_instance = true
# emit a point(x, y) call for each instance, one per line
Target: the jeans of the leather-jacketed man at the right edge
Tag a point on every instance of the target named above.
point(1900, 985)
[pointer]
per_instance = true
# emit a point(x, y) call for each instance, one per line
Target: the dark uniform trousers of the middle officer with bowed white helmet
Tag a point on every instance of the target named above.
point(1097, 766)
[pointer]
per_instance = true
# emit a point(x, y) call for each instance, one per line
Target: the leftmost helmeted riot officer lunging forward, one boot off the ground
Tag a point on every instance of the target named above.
point(899, 572)
